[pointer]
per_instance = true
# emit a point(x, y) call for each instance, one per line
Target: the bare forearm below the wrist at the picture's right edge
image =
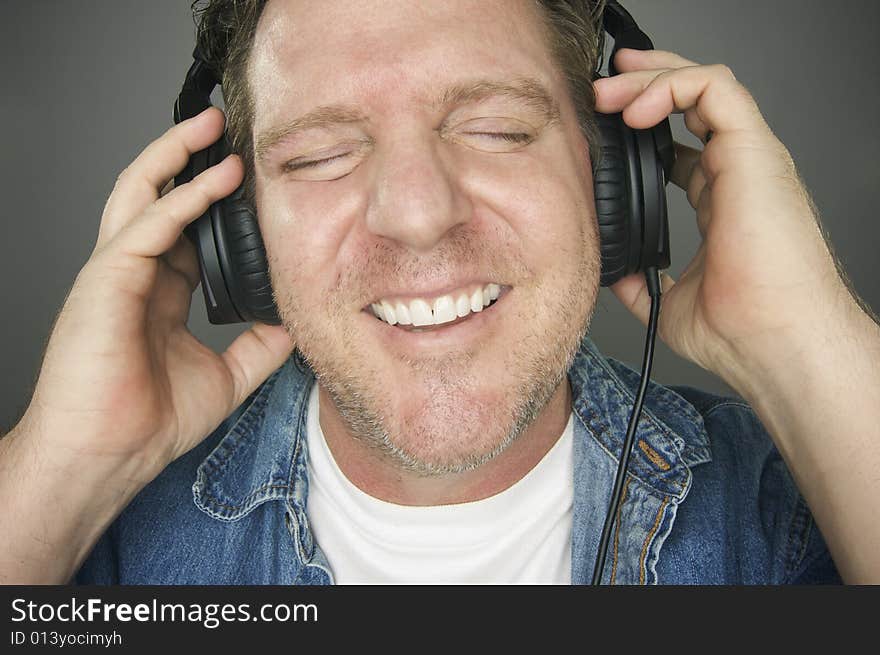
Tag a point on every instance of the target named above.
point(819, 397)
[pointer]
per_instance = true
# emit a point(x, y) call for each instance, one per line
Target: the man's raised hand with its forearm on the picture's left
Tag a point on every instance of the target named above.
point(124, 388)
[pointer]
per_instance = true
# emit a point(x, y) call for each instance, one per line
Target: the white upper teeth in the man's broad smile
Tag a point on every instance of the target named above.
point(442, 309)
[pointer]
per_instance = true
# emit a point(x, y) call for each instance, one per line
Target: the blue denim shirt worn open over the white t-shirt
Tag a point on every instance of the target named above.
point(707, 499)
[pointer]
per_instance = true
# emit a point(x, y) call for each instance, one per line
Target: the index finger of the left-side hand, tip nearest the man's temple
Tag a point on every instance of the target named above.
point(156, 230)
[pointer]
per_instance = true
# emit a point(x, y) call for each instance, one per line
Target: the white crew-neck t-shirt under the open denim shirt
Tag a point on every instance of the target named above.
point(521, 535)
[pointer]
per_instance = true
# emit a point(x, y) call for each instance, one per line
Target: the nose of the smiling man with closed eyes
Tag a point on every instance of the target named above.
point(415, 199)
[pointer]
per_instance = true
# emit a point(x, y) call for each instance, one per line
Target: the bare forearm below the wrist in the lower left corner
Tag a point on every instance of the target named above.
point(54, 507)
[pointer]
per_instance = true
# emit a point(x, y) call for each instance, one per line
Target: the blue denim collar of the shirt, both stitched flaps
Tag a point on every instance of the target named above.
point(261, 452)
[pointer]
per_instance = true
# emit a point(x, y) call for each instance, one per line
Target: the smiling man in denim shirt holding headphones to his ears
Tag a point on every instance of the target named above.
point(424, 153)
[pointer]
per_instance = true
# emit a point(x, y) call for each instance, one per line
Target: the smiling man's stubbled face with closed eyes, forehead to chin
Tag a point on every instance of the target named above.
point(435, 152)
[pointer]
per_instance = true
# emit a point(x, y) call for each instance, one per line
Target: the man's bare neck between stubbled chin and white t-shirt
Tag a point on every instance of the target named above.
point(375, 475)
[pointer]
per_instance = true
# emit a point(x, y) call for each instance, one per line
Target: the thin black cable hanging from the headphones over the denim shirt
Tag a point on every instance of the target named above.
point(652, 280)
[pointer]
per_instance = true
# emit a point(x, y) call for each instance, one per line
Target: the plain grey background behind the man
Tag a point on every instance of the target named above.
point(86, 85)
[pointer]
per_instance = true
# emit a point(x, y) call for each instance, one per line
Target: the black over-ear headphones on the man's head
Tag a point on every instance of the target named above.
point(629, 187)
